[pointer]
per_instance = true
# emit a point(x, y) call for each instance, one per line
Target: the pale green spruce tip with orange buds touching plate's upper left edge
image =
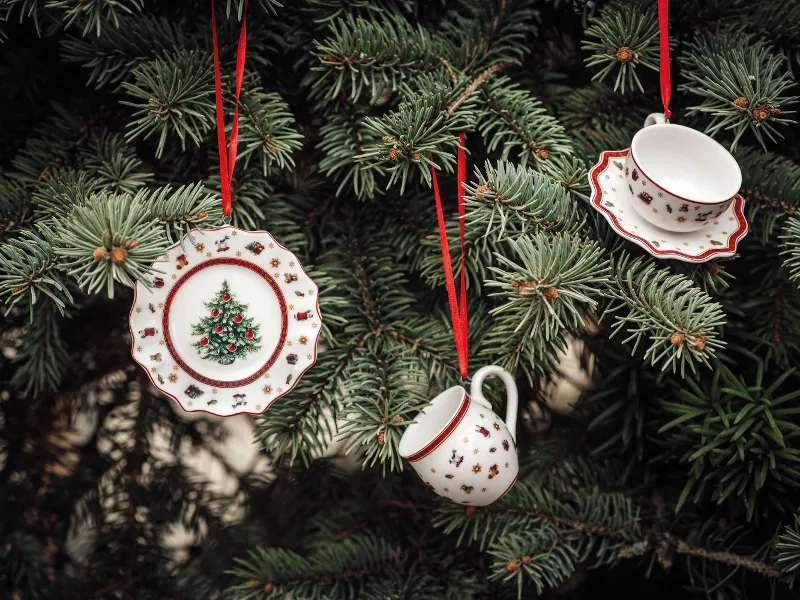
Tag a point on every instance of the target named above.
point(110, 238)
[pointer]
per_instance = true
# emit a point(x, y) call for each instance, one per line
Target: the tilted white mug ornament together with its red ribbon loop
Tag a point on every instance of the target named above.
point(457, 444)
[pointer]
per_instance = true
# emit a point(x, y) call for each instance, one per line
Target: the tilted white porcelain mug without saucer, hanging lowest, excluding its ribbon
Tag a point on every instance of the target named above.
point(460, 448)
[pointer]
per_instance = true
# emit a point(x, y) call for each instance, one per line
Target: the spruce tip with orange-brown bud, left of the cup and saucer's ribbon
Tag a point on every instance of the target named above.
point(622, 38)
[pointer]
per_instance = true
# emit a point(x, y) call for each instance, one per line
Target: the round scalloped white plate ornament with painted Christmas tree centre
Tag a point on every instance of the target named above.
point(229, 322)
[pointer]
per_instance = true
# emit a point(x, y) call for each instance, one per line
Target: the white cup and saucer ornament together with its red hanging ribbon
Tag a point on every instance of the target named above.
point(674, 192)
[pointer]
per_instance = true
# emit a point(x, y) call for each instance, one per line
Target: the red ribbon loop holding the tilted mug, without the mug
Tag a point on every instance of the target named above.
point(457, 317)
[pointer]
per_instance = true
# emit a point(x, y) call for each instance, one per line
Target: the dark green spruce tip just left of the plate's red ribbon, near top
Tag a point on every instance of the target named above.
point(175, 97)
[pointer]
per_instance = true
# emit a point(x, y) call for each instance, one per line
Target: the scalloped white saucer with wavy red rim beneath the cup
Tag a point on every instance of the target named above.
point(718, 239)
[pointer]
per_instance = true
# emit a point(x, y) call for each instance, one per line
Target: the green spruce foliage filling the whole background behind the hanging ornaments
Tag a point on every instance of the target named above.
point(676, 472)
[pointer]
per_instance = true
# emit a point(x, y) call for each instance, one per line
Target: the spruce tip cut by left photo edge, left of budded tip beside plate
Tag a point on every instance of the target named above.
point(29, 269)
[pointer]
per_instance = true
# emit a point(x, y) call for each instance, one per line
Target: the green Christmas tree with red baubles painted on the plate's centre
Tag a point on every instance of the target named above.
point(227, 333)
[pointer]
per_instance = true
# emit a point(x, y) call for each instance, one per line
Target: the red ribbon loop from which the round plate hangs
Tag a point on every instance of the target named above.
point(227, 159)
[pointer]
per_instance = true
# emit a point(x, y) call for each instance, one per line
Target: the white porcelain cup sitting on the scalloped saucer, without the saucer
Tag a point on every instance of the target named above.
point(683, 178)
